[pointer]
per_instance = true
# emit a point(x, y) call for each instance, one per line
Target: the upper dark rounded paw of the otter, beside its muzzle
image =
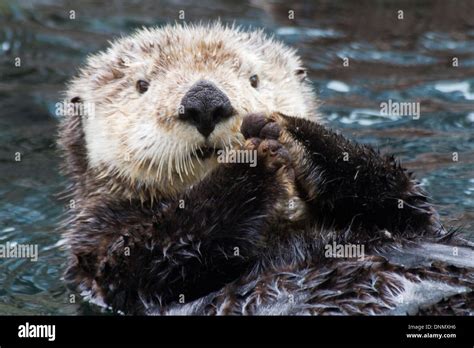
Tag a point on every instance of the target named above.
point(259, 126)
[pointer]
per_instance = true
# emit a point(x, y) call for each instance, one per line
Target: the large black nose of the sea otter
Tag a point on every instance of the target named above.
point(204, 106)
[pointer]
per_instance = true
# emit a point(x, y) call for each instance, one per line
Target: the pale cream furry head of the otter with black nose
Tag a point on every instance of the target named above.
point(166, 99)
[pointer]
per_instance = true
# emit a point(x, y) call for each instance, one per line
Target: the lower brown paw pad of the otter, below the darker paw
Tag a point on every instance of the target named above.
point(270, 153)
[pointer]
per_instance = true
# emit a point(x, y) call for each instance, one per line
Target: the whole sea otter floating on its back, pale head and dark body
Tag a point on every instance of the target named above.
point(158, 225)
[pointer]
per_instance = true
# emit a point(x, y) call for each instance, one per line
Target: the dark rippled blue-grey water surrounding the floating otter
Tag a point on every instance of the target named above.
point(403, 60)
